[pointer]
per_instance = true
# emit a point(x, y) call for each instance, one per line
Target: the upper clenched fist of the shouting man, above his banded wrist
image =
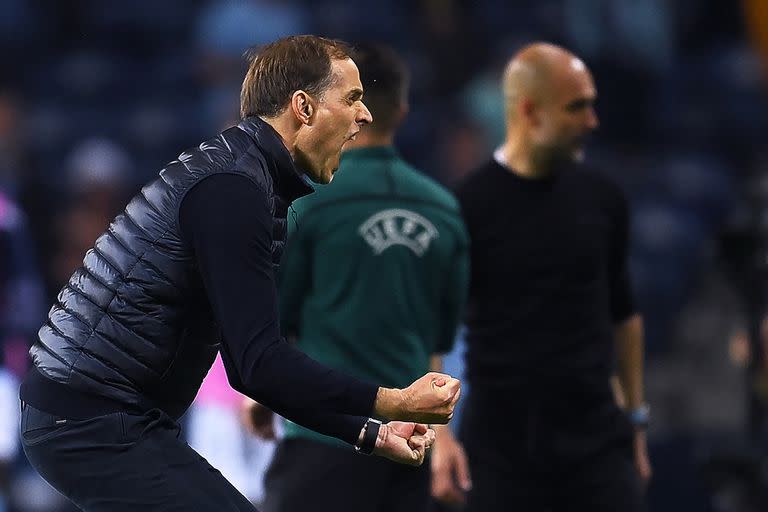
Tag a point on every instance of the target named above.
point(430, 399)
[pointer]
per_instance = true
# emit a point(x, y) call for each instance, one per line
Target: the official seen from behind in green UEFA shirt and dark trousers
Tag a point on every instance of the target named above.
point(372, 281)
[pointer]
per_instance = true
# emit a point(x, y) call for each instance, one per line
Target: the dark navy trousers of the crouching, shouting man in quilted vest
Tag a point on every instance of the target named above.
point(124, 462)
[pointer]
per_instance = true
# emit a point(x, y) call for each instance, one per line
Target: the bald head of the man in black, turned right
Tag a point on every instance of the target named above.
point(549, 96)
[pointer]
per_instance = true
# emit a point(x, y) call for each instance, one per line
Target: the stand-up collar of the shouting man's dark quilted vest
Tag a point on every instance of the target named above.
point(290, 184)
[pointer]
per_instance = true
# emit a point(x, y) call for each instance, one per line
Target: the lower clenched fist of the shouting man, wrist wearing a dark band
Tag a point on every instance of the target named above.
point(405, 443)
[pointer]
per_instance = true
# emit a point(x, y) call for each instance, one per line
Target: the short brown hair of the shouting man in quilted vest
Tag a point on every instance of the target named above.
point(285, 66)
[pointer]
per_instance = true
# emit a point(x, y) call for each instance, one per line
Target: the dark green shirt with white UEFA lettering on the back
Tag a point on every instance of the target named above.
point(375, 272)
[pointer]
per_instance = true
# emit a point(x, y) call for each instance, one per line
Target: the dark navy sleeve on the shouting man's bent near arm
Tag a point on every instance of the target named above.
point(226, 221)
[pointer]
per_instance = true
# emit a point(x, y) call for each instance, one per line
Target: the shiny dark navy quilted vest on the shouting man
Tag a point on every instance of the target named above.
point(133, 324)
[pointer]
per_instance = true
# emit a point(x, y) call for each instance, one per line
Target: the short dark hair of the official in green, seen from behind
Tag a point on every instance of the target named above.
point(385, 80)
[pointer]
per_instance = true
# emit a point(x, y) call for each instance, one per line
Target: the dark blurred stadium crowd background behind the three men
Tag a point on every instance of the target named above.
point(97, 95)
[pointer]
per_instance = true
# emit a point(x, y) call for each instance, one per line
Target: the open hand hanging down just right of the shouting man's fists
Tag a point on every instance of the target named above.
point(450, 469)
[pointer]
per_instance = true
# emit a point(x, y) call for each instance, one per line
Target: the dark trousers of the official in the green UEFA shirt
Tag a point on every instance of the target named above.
point(317, 476)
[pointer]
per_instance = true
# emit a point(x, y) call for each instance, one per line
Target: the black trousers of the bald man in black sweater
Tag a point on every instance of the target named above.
point(548, 458)
